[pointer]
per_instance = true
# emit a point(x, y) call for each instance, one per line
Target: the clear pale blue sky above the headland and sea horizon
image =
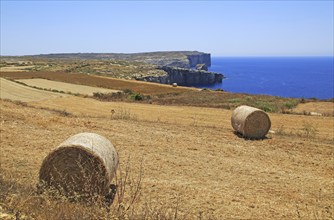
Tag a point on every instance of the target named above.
point(222, 28)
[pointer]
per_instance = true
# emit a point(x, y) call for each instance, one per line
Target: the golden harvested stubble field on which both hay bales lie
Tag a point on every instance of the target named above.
point(194, 166)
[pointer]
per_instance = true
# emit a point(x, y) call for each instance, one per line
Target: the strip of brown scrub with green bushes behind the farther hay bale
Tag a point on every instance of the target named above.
point(205, 98)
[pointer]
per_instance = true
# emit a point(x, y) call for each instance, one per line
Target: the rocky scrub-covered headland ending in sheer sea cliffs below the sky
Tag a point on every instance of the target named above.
point(158, 67)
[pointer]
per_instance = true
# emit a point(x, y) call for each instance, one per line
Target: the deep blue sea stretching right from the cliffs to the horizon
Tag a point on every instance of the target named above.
point(297, 77)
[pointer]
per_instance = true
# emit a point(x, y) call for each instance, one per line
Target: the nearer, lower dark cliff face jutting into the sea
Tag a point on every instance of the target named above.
point(185, 77)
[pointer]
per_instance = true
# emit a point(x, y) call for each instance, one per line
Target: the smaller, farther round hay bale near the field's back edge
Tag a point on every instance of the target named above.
point(250, 122)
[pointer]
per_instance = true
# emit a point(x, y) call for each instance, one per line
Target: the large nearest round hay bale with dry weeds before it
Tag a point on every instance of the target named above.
point(81, 167)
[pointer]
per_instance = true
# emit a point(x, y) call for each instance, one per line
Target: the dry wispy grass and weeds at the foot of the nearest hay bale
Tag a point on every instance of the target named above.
point(21, 201)
